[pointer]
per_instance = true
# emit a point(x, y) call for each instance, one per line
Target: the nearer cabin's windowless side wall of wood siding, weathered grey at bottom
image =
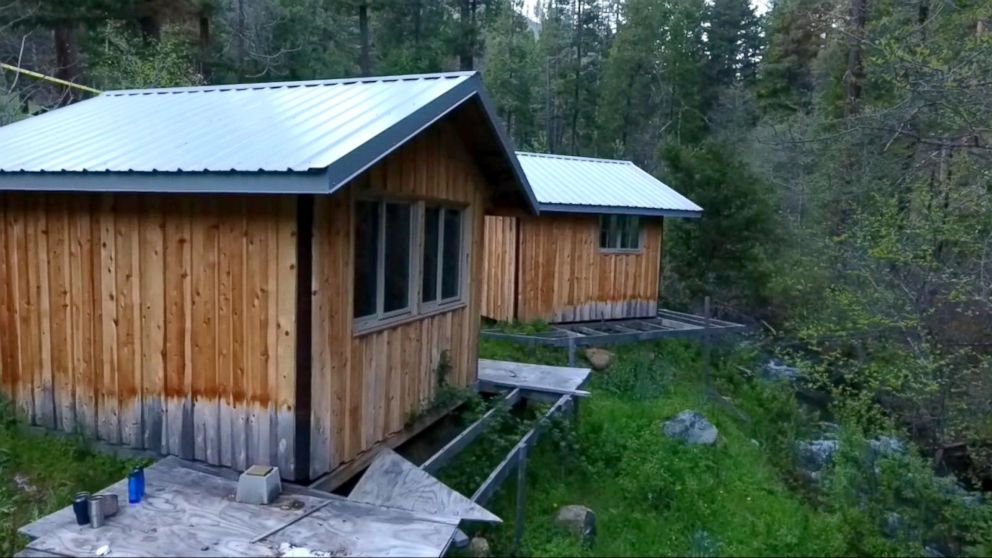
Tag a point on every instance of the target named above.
point(158, 322)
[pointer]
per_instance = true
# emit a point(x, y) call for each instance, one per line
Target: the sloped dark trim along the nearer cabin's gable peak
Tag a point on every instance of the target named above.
point(372, 151)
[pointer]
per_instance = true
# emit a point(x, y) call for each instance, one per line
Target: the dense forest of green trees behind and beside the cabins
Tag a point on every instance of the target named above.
point(840, 148)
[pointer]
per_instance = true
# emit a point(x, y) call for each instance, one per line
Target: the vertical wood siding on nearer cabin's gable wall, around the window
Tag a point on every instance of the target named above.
point(365, 386)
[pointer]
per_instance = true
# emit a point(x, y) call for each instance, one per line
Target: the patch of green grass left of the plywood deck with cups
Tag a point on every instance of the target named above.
point(51, 469)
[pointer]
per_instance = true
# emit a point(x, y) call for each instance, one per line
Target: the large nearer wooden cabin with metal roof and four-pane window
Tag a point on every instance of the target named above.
point(249, 274)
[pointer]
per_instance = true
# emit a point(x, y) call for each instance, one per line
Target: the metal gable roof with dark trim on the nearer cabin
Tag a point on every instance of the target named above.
point(303, 137)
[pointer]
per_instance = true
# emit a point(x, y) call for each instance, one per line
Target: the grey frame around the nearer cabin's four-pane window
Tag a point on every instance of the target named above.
point(416, 307)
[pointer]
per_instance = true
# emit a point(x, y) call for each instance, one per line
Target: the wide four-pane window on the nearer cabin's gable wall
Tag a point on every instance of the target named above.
point(387, 272)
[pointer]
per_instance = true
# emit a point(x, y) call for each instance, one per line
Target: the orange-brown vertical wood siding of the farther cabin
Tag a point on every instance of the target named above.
point(563, 276)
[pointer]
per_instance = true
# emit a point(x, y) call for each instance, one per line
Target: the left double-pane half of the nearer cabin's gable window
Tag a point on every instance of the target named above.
point(383, 240)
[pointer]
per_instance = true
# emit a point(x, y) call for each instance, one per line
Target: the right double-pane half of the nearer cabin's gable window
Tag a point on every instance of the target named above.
point(442, 254)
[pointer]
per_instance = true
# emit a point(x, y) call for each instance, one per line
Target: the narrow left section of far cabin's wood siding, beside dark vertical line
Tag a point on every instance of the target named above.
point(499, 261)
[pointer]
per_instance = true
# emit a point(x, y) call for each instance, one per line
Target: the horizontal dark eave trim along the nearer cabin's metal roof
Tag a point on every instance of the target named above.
point(314, 182)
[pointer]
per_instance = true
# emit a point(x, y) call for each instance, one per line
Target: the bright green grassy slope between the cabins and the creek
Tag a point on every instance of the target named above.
point(653, 496)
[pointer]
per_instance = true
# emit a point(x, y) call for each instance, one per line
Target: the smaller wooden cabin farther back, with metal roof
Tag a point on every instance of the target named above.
point(593, 253)
